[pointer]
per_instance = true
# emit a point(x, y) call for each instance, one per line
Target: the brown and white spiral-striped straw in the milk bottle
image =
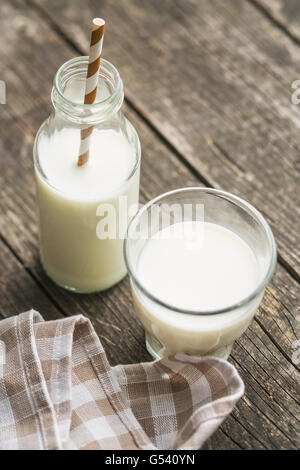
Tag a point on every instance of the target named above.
point(91, 84)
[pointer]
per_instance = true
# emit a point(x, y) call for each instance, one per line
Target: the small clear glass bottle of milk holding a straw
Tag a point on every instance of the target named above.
point(84, 211)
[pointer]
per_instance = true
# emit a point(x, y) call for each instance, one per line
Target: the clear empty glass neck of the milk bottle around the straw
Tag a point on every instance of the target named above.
point(68, 92)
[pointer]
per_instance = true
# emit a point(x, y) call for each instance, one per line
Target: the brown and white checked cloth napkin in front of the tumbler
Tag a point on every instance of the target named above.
point(58, 391)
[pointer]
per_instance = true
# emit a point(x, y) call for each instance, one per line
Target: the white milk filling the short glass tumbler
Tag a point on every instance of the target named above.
point(193, 269)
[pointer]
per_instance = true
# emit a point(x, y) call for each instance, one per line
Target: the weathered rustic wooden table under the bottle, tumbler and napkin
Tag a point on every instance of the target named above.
point(208, 87)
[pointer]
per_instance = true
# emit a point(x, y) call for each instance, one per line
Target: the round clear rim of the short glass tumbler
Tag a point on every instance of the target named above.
point(237, 201)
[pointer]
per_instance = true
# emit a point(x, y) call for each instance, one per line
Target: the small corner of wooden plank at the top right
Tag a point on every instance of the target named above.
point(283, 13)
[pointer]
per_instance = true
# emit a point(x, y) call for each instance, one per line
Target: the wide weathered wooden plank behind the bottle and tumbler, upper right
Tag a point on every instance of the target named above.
point(214, 79)
